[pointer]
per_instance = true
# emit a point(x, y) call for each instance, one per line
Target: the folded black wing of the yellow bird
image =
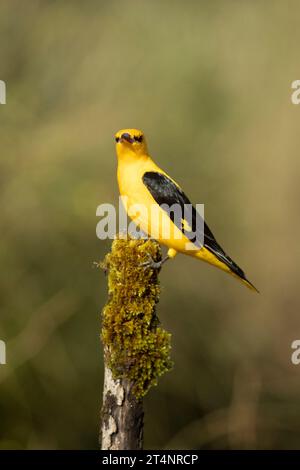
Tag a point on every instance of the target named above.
point(166, 193)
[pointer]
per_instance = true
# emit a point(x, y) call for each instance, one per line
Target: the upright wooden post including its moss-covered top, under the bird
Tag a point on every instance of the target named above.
point(136, 348)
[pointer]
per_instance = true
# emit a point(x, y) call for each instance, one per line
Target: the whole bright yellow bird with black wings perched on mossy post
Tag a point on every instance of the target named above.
point(148, 193)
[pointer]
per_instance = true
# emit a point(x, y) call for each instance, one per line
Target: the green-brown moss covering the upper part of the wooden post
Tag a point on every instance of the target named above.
point(136, 347)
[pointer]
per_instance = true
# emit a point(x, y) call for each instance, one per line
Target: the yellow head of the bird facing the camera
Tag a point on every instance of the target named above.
point(130, 142)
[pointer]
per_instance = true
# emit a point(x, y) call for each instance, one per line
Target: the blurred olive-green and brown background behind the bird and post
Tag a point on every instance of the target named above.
point(210, 84)
